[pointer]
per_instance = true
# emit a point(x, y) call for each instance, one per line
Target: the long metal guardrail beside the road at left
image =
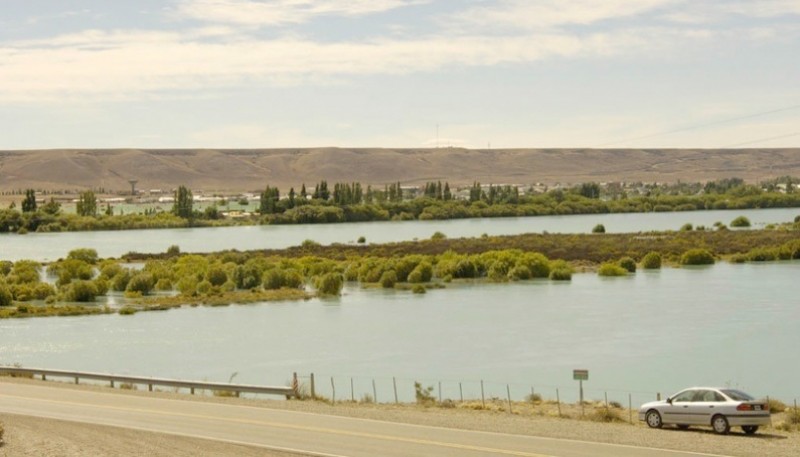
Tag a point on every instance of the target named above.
point(150, 382)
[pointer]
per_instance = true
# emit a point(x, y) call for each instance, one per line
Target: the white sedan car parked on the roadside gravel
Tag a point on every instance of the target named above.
point(719, 408)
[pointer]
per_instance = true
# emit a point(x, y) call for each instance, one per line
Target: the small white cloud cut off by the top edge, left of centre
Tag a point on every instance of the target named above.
point(278, 12)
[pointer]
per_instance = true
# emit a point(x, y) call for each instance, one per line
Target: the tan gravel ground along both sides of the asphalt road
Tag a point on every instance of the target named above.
point(28, 436)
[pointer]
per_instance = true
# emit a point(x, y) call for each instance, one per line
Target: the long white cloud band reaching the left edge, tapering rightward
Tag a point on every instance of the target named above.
point(121, 64)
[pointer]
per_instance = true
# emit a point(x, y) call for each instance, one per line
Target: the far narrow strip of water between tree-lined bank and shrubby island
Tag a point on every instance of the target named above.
point(51, 246)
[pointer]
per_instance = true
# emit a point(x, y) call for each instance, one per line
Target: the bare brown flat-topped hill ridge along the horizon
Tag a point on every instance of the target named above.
point(251, 169)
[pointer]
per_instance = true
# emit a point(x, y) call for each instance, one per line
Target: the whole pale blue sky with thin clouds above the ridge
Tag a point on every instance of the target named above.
point(399, 73)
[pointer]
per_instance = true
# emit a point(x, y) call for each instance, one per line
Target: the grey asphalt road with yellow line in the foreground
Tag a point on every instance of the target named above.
point(304, 433)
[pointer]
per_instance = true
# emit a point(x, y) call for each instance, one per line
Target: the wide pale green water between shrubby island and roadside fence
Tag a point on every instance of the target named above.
point(655, 332)
